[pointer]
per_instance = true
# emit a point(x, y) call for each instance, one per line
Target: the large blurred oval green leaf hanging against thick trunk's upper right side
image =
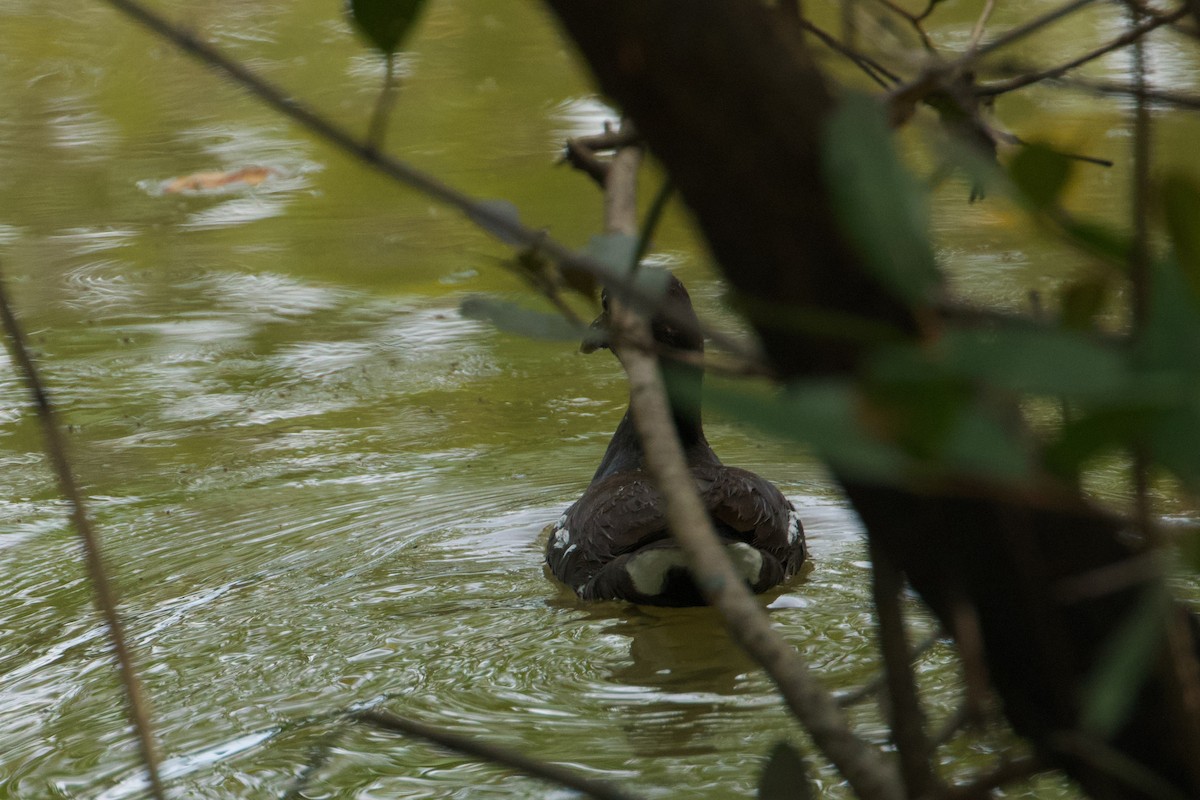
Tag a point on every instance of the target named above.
point(880, 206)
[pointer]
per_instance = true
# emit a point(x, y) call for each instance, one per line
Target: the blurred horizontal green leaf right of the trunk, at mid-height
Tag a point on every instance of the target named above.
point(1037, 362)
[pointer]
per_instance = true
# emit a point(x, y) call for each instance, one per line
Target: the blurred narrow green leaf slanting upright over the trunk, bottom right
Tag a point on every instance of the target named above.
point(1114, 682)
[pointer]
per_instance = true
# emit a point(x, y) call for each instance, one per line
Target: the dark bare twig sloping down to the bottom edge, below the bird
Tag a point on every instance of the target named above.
point(494, 755)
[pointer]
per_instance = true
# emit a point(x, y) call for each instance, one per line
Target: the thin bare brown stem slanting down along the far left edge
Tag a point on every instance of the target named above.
point(105, 597)
